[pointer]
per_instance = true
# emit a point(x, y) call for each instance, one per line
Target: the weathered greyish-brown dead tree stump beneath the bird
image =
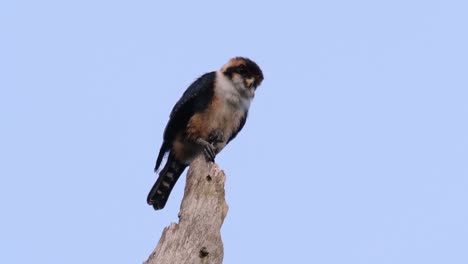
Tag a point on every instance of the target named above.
point(197, 236)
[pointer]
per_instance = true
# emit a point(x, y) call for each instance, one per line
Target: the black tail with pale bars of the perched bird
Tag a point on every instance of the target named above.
point(168, 177)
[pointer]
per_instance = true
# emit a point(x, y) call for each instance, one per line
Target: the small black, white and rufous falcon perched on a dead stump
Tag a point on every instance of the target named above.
point(208, 116)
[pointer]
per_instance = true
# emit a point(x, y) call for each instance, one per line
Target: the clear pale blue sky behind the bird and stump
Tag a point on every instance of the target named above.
point(355, 150)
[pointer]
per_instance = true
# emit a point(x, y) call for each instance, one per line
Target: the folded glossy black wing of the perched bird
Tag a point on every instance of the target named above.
point(196, 98)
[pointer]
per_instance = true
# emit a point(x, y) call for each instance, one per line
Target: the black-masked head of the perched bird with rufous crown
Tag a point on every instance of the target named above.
point(243, 72)
